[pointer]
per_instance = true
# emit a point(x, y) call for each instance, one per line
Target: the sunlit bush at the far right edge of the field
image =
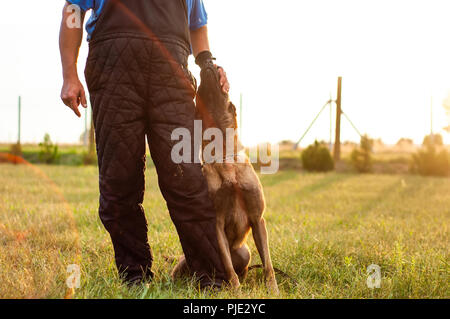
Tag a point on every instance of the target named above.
point(429, 162)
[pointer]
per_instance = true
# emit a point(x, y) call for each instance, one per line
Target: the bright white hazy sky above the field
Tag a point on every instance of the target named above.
point(283, 56)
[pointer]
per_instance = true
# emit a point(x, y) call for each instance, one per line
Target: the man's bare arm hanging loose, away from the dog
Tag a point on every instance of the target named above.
point(72, 92)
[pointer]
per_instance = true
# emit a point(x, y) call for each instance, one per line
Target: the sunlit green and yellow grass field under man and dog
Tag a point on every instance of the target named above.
point(325, 230)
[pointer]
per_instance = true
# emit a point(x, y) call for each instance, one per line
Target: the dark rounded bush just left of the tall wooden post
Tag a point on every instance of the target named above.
point(317, 158)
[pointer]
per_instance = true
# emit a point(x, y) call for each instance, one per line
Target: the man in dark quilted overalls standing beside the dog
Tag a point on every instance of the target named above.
point(140, 87)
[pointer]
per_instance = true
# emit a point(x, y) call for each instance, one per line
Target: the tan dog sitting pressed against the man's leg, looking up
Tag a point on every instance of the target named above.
point(234, 188)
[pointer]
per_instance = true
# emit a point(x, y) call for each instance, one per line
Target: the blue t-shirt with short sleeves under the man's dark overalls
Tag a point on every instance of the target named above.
point(197, 16)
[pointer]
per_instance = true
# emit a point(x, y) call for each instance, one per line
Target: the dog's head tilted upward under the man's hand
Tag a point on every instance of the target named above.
point(213, 105)
